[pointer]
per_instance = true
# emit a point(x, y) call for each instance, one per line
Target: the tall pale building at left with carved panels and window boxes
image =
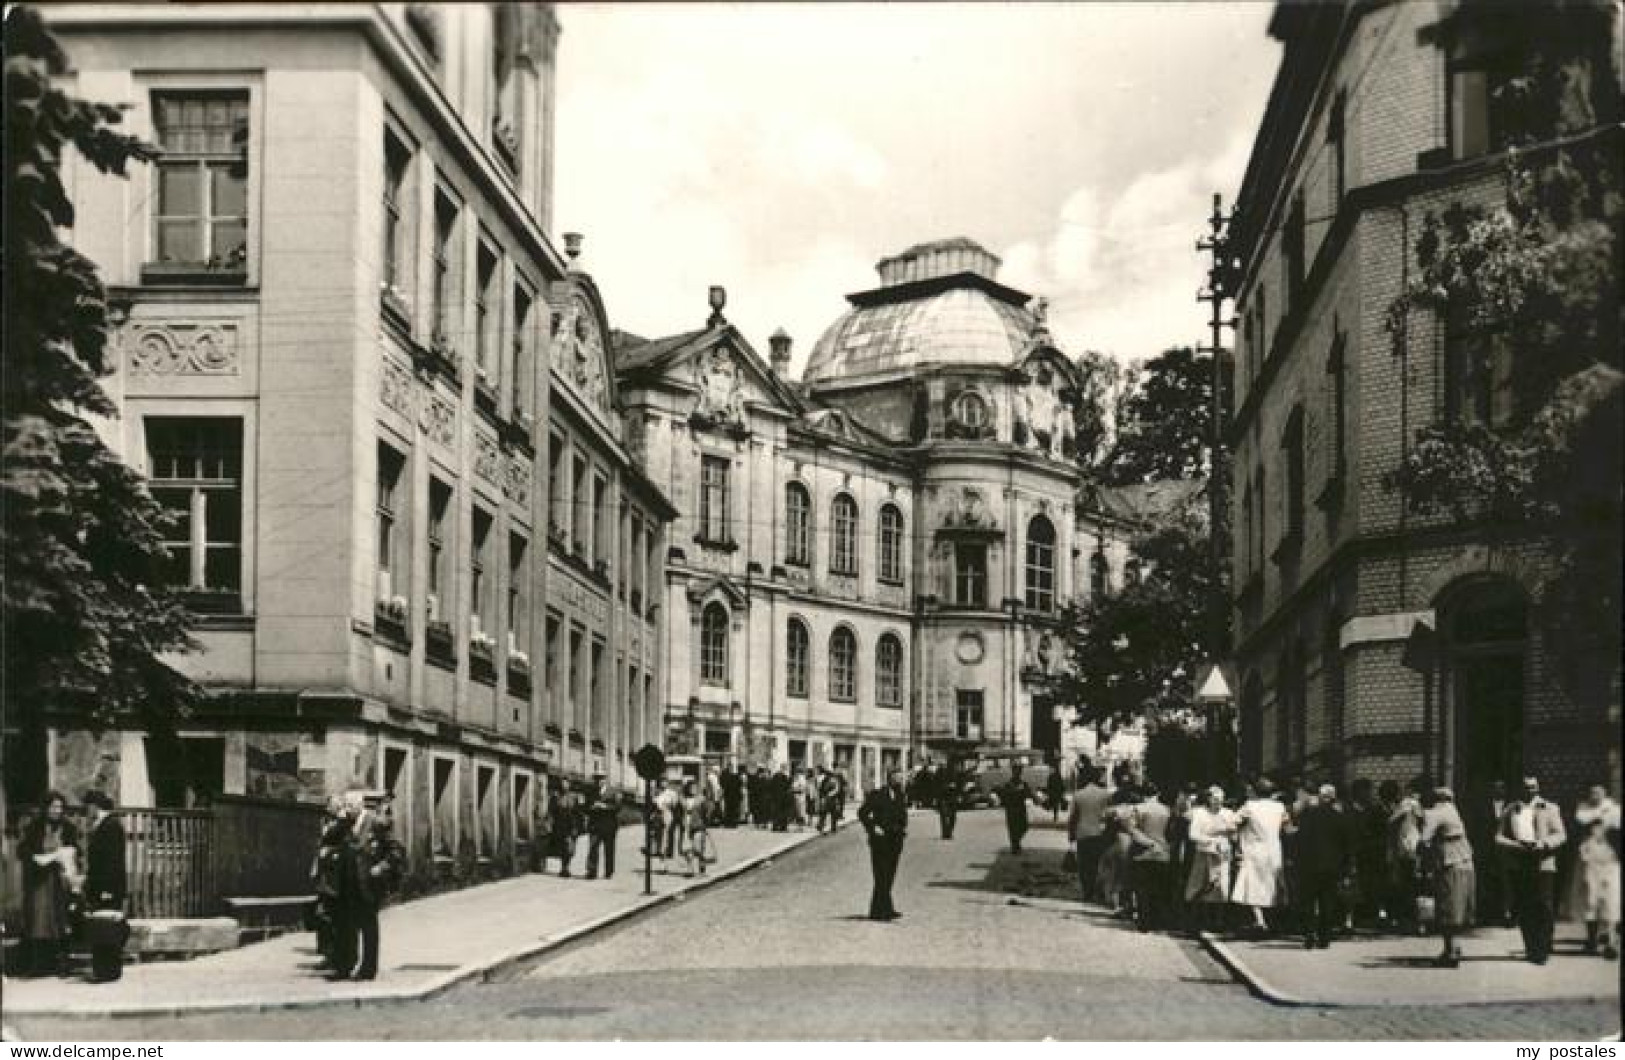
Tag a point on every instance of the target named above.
point(379, 401)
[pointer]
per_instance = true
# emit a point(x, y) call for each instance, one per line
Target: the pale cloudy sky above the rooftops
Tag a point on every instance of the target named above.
point(781, 150)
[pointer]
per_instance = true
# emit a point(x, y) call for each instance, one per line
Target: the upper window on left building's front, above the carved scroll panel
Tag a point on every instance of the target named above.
point(202, 212)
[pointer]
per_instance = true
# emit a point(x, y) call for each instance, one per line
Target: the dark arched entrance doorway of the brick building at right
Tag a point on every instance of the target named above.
point(1486, 646)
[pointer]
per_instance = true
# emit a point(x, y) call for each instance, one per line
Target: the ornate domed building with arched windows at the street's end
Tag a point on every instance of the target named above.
point(872, 558)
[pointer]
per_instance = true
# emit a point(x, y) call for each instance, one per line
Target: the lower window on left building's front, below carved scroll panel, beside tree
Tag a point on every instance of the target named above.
point(197, 476)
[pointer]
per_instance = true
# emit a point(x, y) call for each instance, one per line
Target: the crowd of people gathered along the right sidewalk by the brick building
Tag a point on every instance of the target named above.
point(1314, 861)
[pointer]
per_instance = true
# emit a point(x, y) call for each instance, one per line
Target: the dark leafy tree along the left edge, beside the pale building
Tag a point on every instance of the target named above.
point(87, 615)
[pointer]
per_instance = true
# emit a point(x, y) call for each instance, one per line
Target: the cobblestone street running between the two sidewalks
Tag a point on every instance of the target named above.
point(786, 954)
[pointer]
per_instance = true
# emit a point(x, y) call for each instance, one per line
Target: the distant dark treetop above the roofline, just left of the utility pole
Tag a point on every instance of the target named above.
point(1166, 425)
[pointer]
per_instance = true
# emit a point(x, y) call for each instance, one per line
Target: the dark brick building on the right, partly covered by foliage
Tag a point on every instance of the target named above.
point(1371, 641)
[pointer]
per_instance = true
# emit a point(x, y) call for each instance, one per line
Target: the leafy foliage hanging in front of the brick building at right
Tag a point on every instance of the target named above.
point(1541, 271)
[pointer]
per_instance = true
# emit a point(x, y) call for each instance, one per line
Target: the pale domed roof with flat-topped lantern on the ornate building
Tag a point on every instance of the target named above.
point(938, 303)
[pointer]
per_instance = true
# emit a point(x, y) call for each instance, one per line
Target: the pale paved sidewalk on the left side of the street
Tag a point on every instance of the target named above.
point(428, 945)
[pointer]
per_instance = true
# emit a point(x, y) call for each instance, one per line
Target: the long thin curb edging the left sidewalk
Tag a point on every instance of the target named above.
point(482, 971)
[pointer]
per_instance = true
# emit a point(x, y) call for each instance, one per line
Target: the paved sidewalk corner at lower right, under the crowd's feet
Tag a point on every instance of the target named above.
point(1393, 970)
